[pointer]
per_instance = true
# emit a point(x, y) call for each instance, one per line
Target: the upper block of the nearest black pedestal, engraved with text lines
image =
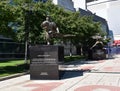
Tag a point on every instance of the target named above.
point(48, 54)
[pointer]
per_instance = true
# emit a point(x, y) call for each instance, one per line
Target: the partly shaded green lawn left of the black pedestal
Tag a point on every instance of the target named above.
point(12, 67)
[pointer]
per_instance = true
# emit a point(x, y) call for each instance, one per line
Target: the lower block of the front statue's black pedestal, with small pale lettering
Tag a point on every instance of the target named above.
point(44, 71)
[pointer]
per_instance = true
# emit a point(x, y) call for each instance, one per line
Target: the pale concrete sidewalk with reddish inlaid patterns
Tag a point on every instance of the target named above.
point(100, 75)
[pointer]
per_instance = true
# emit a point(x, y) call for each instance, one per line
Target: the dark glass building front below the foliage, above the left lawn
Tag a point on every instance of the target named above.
point(11, 50)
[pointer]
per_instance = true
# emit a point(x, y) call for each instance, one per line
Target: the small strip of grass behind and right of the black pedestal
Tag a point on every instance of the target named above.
point(73, 58)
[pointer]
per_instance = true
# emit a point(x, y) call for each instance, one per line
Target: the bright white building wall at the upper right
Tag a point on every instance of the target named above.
point(108, 9)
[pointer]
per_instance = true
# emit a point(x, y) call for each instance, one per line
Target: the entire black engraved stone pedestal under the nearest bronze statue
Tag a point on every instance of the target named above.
point(44, 61)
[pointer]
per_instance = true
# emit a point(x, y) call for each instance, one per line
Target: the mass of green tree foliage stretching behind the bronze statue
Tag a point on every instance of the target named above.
point(82, 27)
